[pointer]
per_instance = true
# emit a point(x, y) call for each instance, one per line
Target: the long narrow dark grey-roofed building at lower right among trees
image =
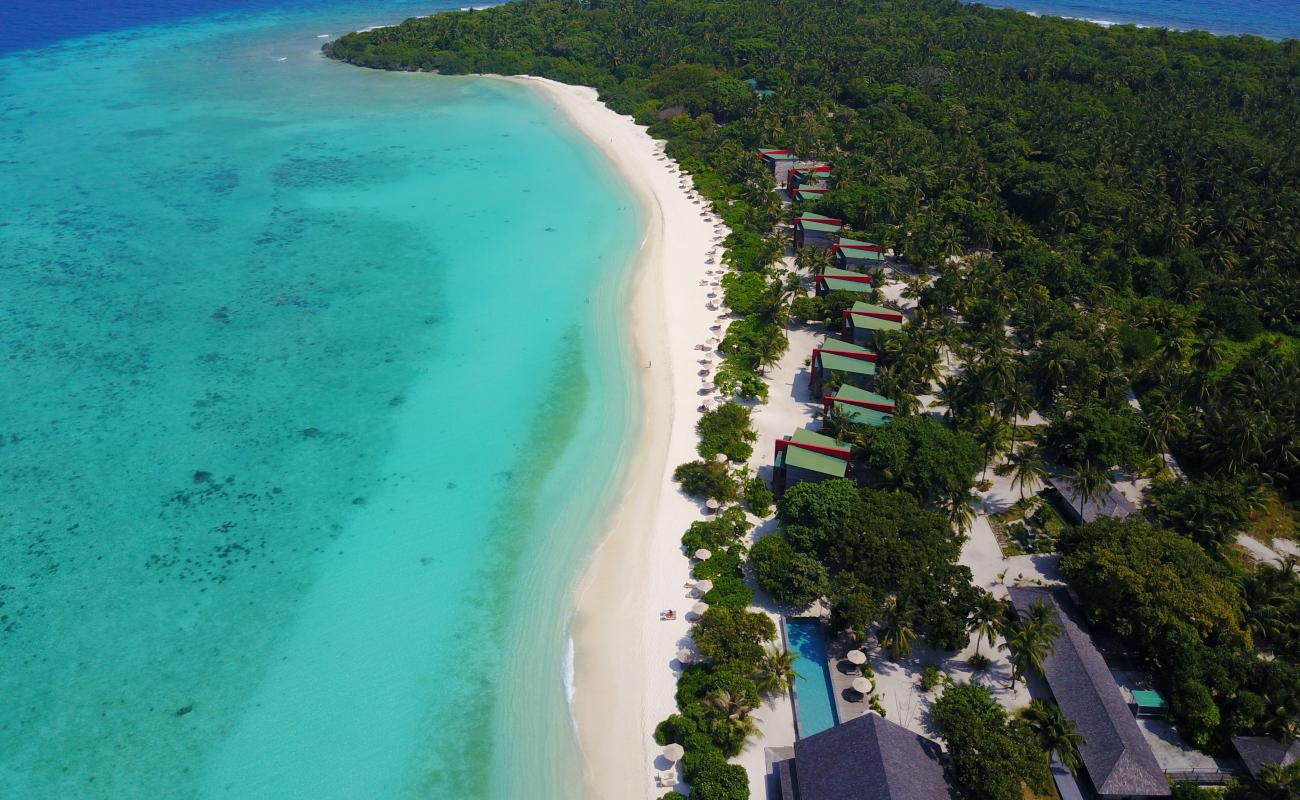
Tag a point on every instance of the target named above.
point(1117, 759)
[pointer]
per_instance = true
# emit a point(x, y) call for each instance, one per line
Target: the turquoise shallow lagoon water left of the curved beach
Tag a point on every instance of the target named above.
point(314, 387)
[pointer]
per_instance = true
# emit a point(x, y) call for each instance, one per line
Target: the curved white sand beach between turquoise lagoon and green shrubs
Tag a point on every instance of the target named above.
point(625, 678)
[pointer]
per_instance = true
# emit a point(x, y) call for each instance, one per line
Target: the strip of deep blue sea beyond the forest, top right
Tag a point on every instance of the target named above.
point(1269, 19)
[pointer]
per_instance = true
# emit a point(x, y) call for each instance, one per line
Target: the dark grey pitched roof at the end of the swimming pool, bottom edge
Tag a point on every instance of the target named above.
point(868, 758)
